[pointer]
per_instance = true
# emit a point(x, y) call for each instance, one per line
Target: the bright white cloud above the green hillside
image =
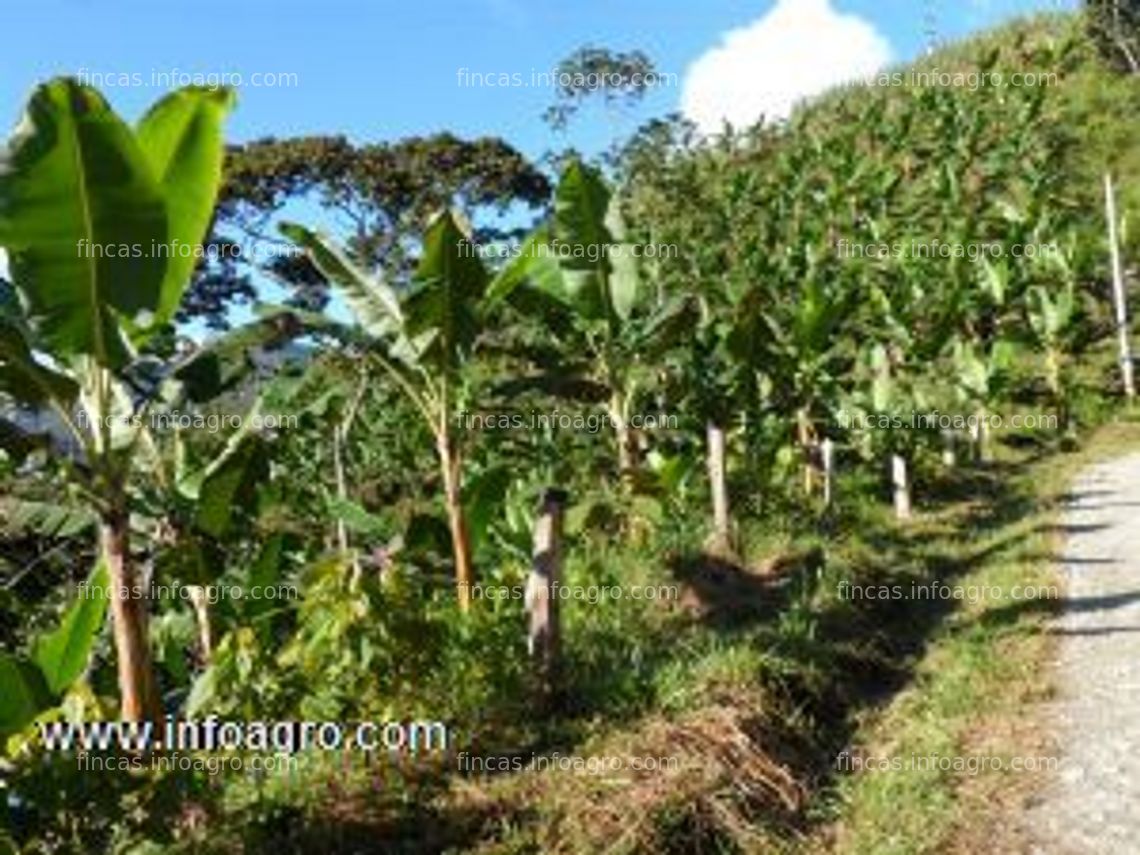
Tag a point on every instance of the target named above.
point(799, 50)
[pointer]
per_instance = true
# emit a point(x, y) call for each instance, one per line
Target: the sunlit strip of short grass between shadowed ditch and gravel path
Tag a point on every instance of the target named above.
point(982, 673)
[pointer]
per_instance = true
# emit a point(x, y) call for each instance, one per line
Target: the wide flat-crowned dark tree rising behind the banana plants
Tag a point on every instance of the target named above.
point(378, 196)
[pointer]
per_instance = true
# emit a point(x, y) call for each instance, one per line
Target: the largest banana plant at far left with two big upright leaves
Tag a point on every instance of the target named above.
point(85, 202)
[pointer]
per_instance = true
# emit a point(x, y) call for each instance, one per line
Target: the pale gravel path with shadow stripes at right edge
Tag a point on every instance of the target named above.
point(1094, 805)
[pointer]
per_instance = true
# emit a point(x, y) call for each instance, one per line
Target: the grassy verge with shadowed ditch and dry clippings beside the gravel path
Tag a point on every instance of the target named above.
point(770, 677)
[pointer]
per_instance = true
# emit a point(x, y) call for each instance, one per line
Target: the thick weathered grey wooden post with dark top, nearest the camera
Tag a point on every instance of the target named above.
point(543, 595)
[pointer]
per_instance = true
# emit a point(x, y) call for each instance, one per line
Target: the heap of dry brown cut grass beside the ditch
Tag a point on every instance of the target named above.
point(710, 781)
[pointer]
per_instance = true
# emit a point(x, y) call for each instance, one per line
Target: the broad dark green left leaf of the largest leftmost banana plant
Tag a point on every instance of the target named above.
point(74, 173)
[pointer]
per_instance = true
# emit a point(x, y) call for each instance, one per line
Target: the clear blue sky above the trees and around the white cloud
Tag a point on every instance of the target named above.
point(385, 69)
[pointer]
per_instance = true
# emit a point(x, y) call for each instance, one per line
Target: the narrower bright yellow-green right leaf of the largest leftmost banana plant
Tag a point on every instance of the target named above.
point(182, 137)
